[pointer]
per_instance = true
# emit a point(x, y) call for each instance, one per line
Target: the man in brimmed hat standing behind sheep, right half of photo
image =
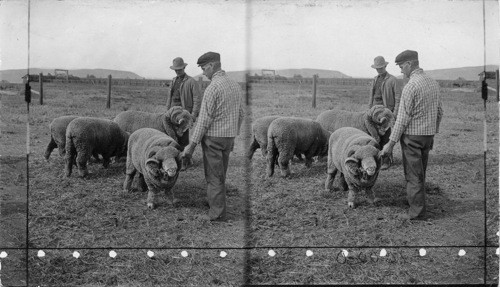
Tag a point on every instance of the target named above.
point(385, 91)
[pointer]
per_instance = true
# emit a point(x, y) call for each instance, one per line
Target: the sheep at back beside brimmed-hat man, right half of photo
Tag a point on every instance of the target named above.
point(375, 121)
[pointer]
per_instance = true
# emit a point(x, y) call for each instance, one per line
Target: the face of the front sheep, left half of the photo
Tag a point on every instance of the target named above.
point(163, 163)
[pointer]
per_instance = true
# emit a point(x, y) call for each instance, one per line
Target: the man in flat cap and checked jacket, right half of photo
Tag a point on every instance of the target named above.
point(419, 116)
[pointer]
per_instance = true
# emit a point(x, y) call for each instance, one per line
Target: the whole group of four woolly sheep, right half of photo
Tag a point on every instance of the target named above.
point(351, 140)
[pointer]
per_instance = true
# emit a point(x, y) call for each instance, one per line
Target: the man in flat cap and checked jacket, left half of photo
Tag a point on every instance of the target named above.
point(219, 122)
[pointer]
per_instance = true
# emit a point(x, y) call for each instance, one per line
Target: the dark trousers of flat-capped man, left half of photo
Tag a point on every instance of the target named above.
point(216, 152)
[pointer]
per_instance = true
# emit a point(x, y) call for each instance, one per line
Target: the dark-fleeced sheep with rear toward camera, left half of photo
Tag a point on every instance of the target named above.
point(86, 136)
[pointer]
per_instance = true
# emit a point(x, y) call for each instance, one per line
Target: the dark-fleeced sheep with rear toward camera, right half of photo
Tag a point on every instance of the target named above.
point(288, 136)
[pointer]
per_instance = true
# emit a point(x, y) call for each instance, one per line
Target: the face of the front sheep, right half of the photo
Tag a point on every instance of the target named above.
point(363, 163)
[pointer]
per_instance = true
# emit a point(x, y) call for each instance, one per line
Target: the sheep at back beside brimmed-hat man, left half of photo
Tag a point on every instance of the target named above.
point(174, 122)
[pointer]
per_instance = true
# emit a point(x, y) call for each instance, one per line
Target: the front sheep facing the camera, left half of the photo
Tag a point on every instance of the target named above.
point(156, 157)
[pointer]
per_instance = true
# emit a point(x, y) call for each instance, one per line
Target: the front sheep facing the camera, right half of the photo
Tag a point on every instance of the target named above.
point(357, 156)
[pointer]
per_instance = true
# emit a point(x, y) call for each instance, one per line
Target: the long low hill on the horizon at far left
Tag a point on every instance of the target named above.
point(15, 76)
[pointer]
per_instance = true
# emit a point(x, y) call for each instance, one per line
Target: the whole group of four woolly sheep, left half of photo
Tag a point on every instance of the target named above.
point(149, 140)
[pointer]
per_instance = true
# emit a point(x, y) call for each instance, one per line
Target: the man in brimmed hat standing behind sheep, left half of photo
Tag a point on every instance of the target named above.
point(184, 92)
